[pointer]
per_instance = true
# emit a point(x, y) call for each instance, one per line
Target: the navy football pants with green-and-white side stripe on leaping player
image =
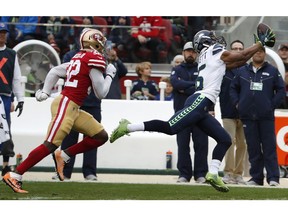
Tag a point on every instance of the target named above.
point(195, 112)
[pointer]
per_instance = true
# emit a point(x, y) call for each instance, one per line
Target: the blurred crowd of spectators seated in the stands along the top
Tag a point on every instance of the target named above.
point(136, 39)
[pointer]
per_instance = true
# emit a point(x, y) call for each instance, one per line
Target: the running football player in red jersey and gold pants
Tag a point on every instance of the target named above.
point(85, 70)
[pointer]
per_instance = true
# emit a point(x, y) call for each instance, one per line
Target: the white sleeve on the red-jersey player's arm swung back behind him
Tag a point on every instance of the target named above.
point(53, 76)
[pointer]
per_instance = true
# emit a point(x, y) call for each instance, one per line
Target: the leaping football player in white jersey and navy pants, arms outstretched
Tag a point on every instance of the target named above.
point(213, 61)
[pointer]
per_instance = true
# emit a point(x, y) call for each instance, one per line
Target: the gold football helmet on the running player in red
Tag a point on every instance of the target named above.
point(92, 39)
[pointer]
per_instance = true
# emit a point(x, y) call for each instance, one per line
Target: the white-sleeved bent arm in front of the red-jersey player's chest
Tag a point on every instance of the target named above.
point(100, 84)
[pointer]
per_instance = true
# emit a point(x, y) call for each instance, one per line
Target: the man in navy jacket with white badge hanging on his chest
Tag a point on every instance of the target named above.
point(256, 92)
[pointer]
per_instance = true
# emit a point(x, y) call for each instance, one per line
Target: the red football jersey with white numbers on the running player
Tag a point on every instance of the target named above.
point(78, 80)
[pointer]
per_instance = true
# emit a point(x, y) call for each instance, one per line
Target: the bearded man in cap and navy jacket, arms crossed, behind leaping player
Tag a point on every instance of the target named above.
point(183, 79)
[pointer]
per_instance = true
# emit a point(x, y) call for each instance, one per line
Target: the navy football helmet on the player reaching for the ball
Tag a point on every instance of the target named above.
point(205, 38)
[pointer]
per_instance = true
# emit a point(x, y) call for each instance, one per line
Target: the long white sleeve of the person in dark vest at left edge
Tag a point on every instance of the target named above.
point(16, 84)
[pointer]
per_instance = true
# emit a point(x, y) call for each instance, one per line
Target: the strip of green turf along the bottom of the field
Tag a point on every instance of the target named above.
point(113, 191)
